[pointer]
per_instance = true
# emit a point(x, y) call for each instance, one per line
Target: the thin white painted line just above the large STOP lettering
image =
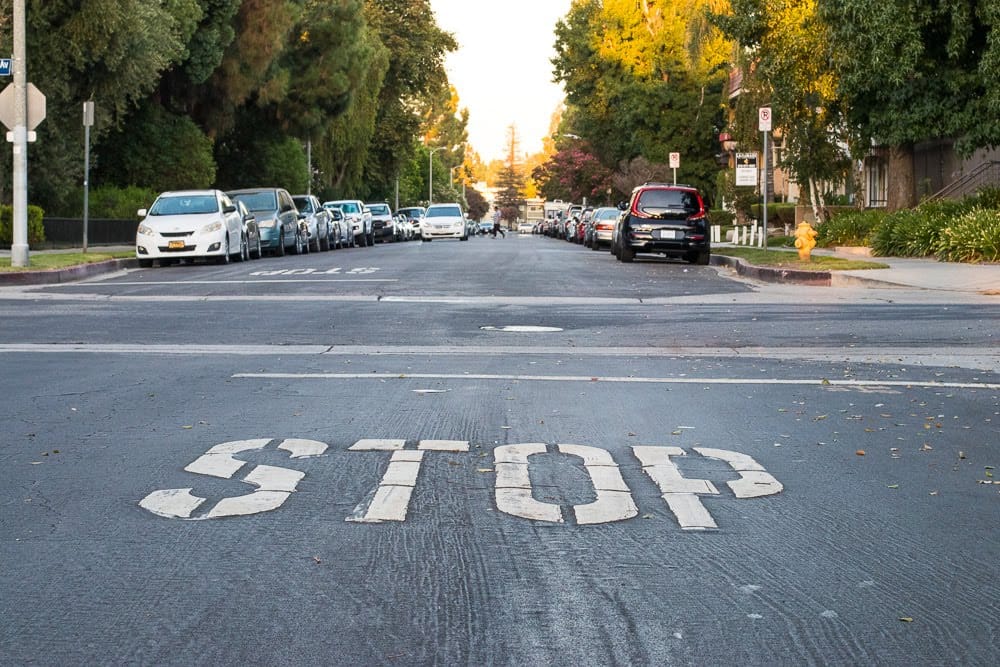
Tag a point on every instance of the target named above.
point(814, 382)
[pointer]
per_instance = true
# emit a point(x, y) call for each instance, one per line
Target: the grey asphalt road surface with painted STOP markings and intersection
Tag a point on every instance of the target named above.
point(498, 452)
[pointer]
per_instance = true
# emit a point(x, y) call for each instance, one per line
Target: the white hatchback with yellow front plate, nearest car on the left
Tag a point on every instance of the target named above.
point(190, 224)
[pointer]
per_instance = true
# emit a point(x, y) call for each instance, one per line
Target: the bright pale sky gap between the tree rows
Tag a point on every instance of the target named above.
point(502, 68)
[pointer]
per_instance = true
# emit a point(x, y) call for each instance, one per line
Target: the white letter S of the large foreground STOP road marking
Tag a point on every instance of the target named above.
point(274, 484)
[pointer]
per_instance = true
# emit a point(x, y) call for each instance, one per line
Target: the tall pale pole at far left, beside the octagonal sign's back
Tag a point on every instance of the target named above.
point(19, 256)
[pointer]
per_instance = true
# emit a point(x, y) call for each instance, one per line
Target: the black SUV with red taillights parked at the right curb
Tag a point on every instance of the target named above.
point(664, 219)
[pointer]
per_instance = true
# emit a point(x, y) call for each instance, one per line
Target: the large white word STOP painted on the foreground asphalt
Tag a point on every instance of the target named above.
point(390, 498)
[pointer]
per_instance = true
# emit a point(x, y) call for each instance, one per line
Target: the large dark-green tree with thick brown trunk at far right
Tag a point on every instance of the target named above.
point(914, 70)
